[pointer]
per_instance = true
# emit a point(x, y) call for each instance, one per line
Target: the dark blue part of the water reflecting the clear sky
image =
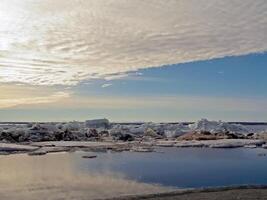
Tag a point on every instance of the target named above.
point(187, 167)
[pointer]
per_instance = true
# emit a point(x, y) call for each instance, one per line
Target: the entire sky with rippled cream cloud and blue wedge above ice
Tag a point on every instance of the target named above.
point(133, 60)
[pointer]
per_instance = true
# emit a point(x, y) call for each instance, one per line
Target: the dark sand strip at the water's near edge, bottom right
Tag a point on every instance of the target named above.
point(226, 193)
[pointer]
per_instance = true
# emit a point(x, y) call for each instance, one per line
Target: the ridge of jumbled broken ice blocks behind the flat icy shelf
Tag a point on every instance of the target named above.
point(102, 129)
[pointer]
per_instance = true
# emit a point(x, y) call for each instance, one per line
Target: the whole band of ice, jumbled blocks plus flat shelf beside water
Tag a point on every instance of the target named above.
point(58, 137)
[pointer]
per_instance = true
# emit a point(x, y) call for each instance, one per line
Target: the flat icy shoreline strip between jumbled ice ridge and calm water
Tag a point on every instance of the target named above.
point(43, 148)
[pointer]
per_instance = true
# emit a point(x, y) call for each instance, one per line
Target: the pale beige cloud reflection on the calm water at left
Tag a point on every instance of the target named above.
point(55, 176)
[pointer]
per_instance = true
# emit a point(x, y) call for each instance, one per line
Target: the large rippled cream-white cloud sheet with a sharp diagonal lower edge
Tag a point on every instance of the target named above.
point(64, 42)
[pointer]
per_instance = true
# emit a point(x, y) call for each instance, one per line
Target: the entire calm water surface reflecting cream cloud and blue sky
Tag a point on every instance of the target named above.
point(69, 176)
